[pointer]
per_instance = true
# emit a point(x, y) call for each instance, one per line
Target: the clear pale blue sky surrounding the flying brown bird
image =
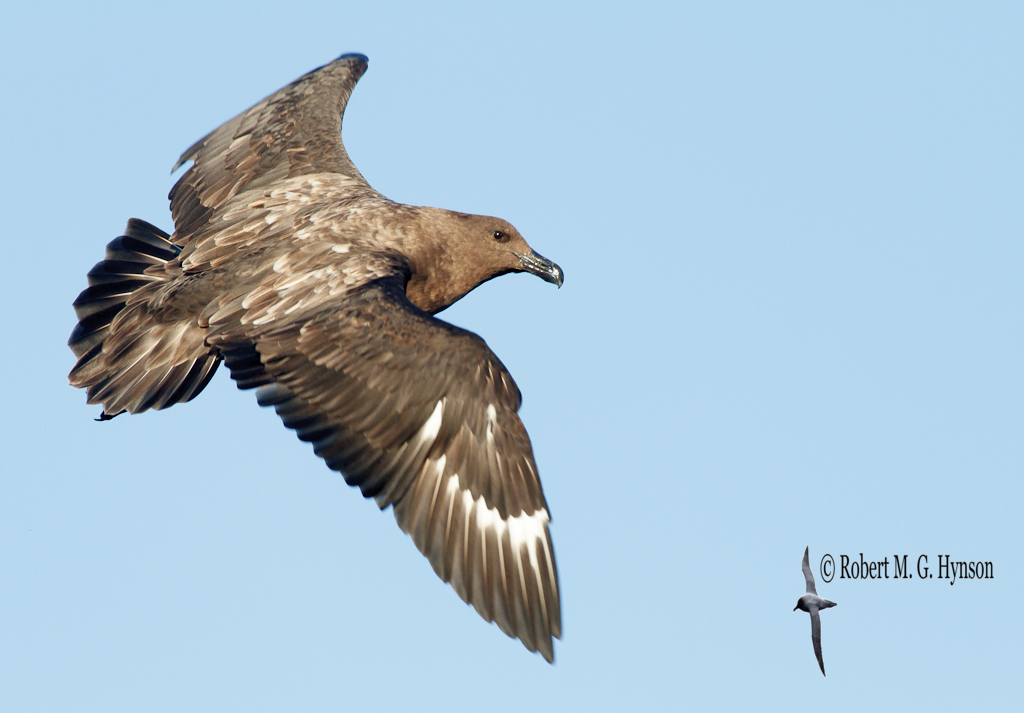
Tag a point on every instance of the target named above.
point(793, 247)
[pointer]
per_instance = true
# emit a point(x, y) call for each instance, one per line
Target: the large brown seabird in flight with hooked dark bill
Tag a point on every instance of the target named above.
point(321, 295)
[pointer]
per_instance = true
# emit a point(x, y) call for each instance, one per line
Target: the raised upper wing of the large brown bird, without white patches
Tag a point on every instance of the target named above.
point(295, 132)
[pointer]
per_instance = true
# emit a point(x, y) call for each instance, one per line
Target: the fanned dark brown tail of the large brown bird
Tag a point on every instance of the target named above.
point(129, 359)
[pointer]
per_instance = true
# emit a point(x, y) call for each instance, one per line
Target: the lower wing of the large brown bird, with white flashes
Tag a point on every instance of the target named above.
point(420, 415)
